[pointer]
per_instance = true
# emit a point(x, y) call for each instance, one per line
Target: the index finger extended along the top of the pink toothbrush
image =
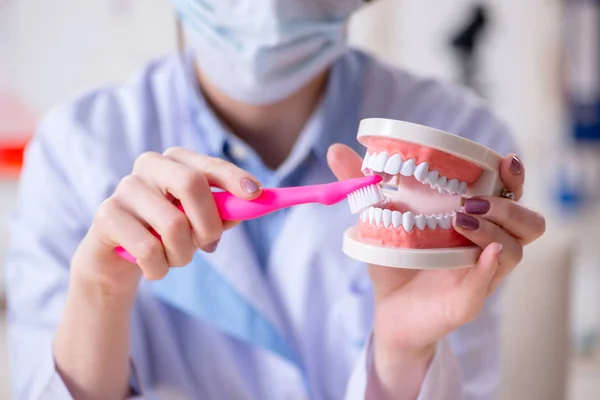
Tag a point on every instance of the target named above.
point(219, 173)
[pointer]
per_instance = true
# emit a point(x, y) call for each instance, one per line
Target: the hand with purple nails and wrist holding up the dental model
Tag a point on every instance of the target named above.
point(414, 309)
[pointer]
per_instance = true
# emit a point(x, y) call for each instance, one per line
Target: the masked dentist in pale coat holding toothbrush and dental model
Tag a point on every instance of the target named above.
point(268, 94)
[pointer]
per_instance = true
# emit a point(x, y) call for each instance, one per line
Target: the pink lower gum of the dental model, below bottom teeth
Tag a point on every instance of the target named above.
point(415, 239)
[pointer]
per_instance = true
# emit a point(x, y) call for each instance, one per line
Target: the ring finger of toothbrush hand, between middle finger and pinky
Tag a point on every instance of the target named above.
point(152, 208)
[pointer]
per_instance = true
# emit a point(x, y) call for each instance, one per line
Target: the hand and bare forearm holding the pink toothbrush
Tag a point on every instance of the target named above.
point(91, 346)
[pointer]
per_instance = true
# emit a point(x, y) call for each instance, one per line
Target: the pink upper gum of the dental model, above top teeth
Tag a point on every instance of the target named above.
point(446, 164)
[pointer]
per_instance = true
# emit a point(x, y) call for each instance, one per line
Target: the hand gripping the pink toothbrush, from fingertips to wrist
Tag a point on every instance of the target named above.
point(145, 199)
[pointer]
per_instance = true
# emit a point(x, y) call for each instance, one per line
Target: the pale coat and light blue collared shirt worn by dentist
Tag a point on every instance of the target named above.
point(277, 311)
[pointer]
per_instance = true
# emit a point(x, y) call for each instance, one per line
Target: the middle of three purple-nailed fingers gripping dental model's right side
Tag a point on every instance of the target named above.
point(521, 222)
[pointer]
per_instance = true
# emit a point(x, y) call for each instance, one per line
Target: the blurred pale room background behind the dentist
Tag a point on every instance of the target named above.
point(535, 61)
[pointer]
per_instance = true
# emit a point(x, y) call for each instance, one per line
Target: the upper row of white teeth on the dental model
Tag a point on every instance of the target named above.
point(394, 165)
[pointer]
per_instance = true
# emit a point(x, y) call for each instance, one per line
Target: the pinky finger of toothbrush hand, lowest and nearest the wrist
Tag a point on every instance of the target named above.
point(123, 229)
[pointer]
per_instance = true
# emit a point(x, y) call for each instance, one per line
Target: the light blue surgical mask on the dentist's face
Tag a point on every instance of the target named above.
point(262, 51)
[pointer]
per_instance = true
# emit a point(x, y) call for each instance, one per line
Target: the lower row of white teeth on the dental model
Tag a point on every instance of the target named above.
point(378, 217)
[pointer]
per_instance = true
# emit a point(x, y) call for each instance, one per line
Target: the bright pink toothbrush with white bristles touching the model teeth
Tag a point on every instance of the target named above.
point(360, 192)
